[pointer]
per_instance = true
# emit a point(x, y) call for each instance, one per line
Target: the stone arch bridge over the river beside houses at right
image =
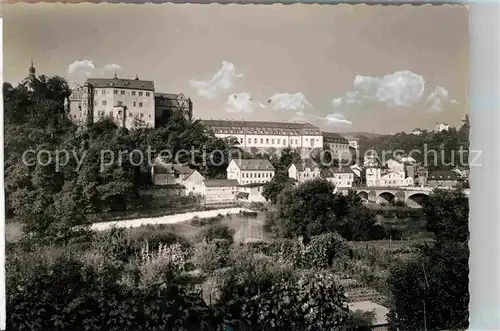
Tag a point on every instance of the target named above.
point(411, 196)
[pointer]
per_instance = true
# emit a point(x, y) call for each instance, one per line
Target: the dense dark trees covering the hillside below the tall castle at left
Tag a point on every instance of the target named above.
point(56, 173)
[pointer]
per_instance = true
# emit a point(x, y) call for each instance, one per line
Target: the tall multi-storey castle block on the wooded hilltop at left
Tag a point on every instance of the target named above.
point(129, 102)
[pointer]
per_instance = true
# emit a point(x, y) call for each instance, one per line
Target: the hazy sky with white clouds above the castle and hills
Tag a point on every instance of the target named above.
point(344, 68)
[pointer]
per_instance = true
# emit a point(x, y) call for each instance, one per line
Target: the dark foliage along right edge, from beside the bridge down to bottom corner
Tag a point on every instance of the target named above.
point(433, 288)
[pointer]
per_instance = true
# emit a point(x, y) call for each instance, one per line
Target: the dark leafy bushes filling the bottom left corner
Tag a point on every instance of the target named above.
point(56, 290)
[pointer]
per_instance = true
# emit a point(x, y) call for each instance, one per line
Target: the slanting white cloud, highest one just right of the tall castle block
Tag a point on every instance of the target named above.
point(221, 80)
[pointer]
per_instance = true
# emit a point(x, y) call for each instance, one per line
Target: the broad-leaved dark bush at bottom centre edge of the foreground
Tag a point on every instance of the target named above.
point(310, 302)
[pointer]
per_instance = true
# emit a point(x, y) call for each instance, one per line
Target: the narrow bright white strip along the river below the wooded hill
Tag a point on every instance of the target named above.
point(170, 219)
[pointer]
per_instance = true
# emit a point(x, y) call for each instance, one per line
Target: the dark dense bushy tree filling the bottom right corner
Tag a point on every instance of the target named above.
point(433, 287)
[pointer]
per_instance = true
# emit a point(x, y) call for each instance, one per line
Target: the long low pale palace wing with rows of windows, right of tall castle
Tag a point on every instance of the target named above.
point(277, 135)
